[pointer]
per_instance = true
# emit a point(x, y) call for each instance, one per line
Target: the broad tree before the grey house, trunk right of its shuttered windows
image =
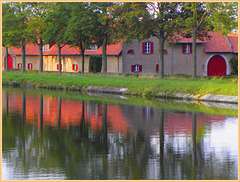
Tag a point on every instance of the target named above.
point(157, 19)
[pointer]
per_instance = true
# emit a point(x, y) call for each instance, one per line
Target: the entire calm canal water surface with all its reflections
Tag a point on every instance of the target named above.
point(52, 135)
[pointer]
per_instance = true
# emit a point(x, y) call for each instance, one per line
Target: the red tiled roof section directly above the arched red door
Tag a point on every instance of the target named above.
point(217, 43)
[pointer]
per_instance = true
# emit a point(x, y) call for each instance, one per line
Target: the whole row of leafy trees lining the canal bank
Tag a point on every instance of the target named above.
point(82, 24)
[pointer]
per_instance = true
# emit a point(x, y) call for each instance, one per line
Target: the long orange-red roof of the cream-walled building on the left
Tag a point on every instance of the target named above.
point(31, 49)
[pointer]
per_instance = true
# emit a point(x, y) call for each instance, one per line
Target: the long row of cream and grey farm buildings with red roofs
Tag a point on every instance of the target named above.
point(213, 56)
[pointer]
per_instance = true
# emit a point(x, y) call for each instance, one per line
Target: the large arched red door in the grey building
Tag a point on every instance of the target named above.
point(216, 66)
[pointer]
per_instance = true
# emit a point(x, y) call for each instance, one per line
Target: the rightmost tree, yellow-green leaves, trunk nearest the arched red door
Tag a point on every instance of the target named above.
point(202, 17)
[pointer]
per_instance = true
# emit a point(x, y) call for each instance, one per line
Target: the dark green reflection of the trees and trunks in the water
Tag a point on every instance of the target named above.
point(83, 153)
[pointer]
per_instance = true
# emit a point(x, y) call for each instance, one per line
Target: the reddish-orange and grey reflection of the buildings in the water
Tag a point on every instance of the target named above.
point(120, 118)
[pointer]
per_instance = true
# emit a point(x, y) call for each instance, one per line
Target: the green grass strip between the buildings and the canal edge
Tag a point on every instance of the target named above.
point(138, 85)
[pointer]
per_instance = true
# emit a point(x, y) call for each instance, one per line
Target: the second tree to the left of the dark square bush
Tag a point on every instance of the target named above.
point(57, 22)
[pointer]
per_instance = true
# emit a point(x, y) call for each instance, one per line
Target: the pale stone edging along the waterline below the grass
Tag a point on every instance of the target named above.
point(124, 91)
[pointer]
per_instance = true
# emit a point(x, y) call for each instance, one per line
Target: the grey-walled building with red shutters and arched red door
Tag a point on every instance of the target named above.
point(213, 56)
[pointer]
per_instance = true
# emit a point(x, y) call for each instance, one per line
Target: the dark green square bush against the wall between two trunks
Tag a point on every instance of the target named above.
point(95, 64)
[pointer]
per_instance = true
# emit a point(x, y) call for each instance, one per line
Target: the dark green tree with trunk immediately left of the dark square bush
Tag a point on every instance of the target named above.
point(80, 27)
